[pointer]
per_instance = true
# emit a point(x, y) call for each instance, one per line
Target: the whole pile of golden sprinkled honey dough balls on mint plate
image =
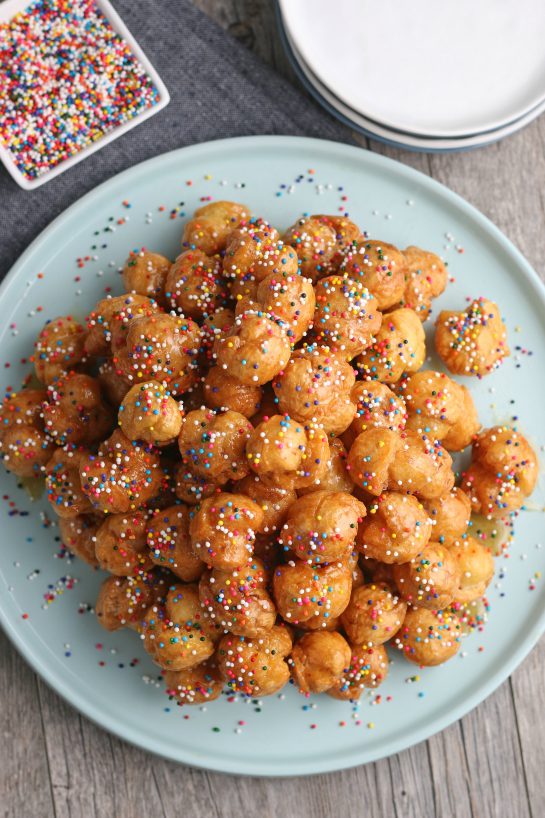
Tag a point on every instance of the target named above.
point(247, 442)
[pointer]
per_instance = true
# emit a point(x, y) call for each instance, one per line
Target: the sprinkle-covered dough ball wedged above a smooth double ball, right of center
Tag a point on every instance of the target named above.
point(377, 407)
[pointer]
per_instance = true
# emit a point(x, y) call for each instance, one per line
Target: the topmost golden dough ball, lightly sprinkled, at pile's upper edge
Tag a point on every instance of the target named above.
point(211, 226)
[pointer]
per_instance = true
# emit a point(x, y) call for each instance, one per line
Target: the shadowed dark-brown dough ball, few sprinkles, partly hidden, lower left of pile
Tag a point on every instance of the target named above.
point(167, 535)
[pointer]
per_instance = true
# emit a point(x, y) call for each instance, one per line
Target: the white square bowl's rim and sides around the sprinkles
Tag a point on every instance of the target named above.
point(8, 9)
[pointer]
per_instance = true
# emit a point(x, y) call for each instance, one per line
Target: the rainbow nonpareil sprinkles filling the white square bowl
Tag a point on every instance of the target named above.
point(66, 79)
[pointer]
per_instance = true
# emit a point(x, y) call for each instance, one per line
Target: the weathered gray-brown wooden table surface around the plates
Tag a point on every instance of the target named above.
point(53, 762)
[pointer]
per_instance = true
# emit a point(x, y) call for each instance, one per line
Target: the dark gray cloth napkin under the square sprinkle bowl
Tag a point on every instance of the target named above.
point(218, 89)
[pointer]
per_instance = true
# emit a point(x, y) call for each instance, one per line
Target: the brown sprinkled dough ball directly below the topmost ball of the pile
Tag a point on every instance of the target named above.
point(194, 284)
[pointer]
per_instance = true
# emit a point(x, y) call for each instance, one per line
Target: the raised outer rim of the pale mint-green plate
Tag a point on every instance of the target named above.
point(11, 624)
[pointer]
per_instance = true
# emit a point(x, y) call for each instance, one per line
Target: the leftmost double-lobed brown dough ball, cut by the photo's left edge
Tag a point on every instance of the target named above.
point(25, 448)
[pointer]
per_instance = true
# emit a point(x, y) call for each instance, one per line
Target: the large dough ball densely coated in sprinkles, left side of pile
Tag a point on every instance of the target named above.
point(123, 476)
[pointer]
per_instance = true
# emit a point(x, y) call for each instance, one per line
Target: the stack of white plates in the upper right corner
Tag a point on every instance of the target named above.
point(429, 75)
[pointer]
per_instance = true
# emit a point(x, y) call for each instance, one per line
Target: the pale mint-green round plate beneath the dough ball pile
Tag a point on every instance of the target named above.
point(108, 676)
